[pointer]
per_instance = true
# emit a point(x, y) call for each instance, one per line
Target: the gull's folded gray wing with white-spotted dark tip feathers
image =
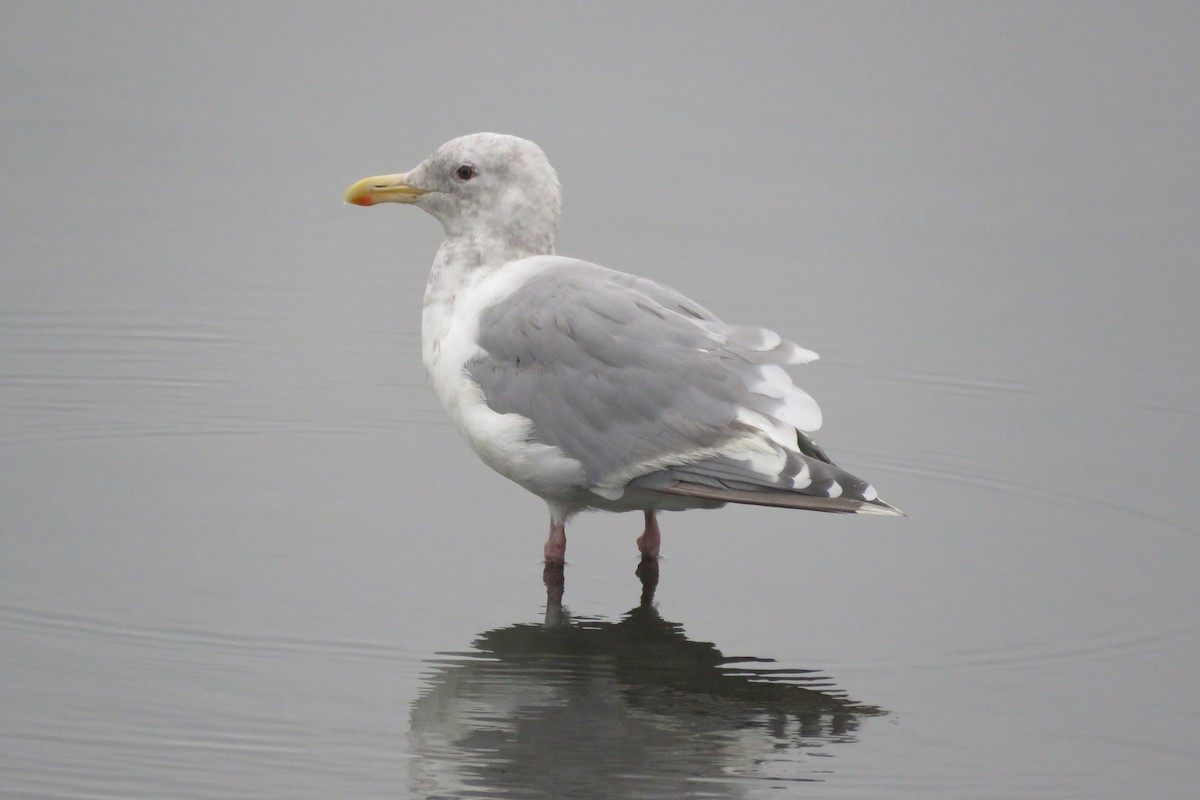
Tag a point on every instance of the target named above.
point(643, 386)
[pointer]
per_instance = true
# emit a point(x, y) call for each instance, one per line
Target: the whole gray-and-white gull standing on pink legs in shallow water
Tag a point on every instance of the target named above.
point(591, 388)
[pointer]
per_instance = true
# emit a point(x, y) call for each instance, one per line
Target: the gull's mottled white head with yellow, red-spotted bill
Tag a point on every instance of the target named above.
point(484, 187)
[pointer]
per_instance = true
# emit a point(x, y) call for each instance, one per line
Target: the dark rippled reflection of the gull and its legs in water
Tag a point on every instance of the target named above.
point(587, 708)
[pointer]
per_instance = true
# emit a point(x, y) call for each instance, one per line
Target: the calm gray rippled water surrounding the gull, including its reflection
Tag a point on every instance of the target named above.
point(244, 556)
